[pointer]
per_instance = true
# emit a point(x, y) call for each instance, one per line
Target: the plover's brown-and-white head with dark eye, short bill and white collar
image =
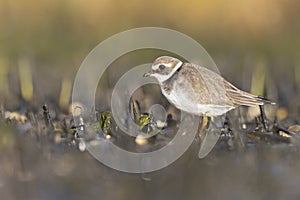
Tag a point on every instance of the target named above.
point(164, 67)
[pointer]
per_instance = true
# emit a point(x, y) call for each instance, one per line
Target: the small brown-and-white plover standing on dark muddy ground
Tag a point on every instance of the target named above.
point(198, 90)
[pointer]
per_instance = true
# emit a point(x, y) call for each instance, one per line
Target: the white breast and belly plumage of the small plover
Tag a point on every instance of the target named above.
point(180, 101)
